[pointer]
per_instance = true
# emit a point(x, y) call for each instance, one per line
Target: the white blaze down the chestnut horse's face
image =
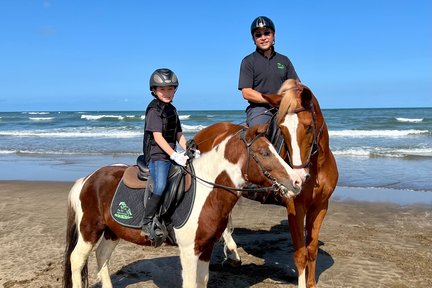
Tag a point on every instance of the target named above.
point(291, 122)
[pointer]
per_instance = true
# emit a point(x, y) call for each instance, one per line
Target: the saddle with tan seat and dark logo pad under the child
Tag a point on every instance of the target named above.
point(130, 198)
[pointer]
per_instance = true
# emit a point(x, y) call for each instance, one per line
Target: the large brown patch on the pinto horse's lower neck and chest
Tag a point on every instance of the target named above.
point(216, 210)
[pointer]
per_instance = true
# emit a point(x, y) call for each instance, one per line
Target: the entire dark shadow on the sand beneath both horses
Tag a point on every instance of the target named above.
point(269, 255)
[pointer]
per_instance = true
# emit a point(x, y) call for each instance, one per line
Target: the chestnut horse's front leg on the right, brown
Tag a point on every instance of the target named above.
point(314, 220)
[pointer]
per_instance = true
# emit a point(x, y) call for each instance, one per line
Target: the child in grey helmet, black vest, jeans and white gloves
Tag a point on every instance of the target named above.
point(162, 131)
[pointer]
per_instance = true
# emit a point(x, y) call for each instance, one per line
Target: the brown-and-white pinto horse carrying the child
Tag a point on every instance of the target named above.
point(242, 157)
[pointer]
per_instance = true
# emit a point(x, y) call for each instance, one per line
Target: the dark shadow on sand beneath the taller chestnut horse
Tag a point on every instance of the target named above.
point(269, 255)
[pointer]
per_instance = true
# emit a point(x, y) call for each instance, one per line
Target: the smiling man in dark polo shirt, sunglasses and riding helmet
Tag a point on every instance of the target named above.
point(263, 72)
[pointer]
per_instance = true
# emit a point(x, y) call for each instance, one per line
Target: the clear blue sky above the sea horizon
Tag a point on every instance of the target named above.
point(98, 55)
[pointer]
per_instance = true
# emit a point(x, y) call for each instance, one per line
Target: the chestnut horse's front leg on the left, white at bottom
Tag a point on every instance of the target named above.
point(296, 216)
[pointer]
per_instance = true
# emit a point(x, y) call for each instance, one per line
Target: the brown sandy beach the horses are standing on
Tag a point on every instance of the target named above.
point(362, 245)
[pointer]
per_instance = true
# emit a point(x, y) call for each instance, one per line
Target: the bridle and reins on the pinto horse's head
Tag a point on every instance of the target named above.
point(276, 186)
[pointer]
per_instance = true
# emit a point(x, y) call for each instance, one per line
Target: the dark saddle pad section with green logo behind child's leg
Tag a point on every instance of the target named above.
point(127, 207)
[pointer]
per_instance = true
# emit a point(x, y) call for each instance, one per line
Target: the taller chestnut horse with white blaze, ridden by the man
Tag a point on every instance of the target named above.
point(305, 147)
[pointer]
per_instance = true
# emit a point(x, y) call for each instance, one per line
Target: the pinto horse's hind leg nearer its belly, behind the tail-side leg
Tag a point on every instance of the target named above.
point(103, 254)
